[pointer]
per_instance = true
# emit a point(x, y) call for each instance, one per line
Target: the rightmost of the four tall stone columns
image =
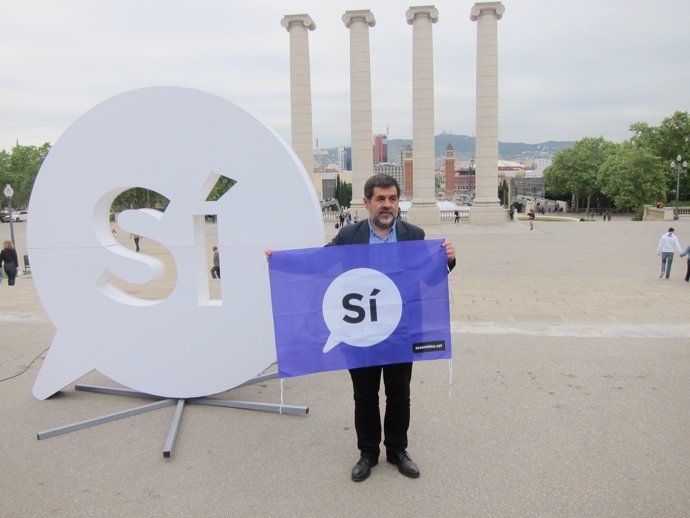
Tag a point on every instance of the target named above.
point(486, 208)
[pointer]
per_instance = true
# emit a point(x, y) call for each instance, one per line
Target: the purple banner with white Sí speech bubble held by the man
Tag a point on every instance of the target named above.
point(342, 307)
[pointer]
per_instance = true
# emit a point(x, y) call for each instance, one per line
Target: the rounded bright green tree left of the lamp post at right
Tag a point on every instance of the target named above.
point(632, 177)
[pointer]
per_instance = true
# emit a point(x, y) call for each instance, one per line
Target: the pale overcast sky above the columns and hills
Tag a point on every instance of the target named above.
point(568, 69)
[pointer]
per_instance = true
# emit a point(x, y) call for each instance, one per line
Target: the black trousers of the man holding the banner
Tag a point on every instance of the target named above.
point(365, 383)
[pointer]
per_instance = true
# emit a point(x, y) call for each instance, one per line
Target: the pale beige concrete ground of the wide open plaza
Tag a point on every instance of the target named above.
point(568, 396)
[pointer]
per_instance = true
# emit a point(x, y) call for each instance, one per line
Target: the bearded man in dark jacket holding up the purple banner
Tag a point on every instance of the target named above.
point(381, 198)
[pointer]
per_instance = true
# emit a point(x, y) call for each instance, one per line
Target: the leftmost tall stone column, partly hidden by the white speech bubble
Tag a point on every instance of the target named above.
point(299, 25)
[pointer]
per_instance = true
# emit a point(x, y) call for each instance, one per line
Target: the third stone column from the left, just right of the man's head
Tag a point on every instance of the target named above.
point(424, 210)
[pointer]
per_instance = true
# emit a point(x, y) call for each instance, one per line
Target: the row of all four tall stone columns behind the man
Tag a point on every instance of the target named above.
point(486, 208)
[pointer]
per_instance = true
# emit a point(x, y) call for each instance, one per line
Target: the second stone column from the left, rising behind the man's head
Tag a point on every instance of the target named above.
point(360, 102)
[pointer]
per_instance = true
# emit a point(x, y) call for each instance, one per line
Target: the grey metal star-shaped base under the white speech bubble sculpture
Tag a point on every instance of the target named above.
point(162, 402)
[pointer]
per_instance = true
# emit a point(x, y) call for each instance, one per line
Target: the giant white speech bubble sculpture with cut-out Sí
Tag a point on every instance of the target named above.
point(178, 142)
